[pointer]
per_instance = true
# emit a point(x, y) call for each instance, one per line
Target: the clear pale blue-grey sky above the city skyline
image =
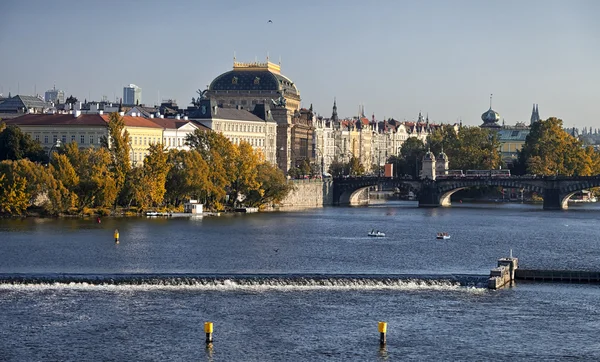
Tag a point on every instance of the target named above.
point(396, 58)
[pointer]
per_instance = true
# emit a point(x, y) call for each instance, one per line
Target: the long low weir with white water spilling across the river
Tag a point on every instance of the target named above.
point(232, 282)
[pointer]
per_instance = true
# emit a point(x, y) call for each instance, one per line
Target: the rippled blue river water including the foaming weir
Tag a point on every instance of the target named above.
point(299, 286)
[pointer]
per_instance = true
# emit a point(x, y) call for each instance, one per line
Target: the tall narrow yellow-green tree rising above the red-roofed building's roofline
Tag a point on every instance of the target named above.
point(117, 143)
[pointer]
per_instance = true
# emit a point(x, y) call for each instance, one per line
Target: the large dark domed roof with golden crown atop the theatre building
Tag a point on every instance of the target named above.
point(249, 84)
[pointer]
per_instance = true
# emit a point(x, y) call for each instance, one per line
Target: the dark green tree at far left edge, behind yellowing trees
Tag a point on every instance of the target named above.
point(15, 145)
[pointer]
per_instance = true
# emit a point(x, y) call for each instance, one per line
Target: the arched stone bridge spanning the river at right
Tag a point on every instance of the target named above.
point(556, 190)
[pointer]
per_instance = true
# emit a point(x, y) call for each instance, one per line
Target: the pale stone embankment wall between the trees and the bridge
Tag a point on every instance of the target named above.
point(308, 194)
